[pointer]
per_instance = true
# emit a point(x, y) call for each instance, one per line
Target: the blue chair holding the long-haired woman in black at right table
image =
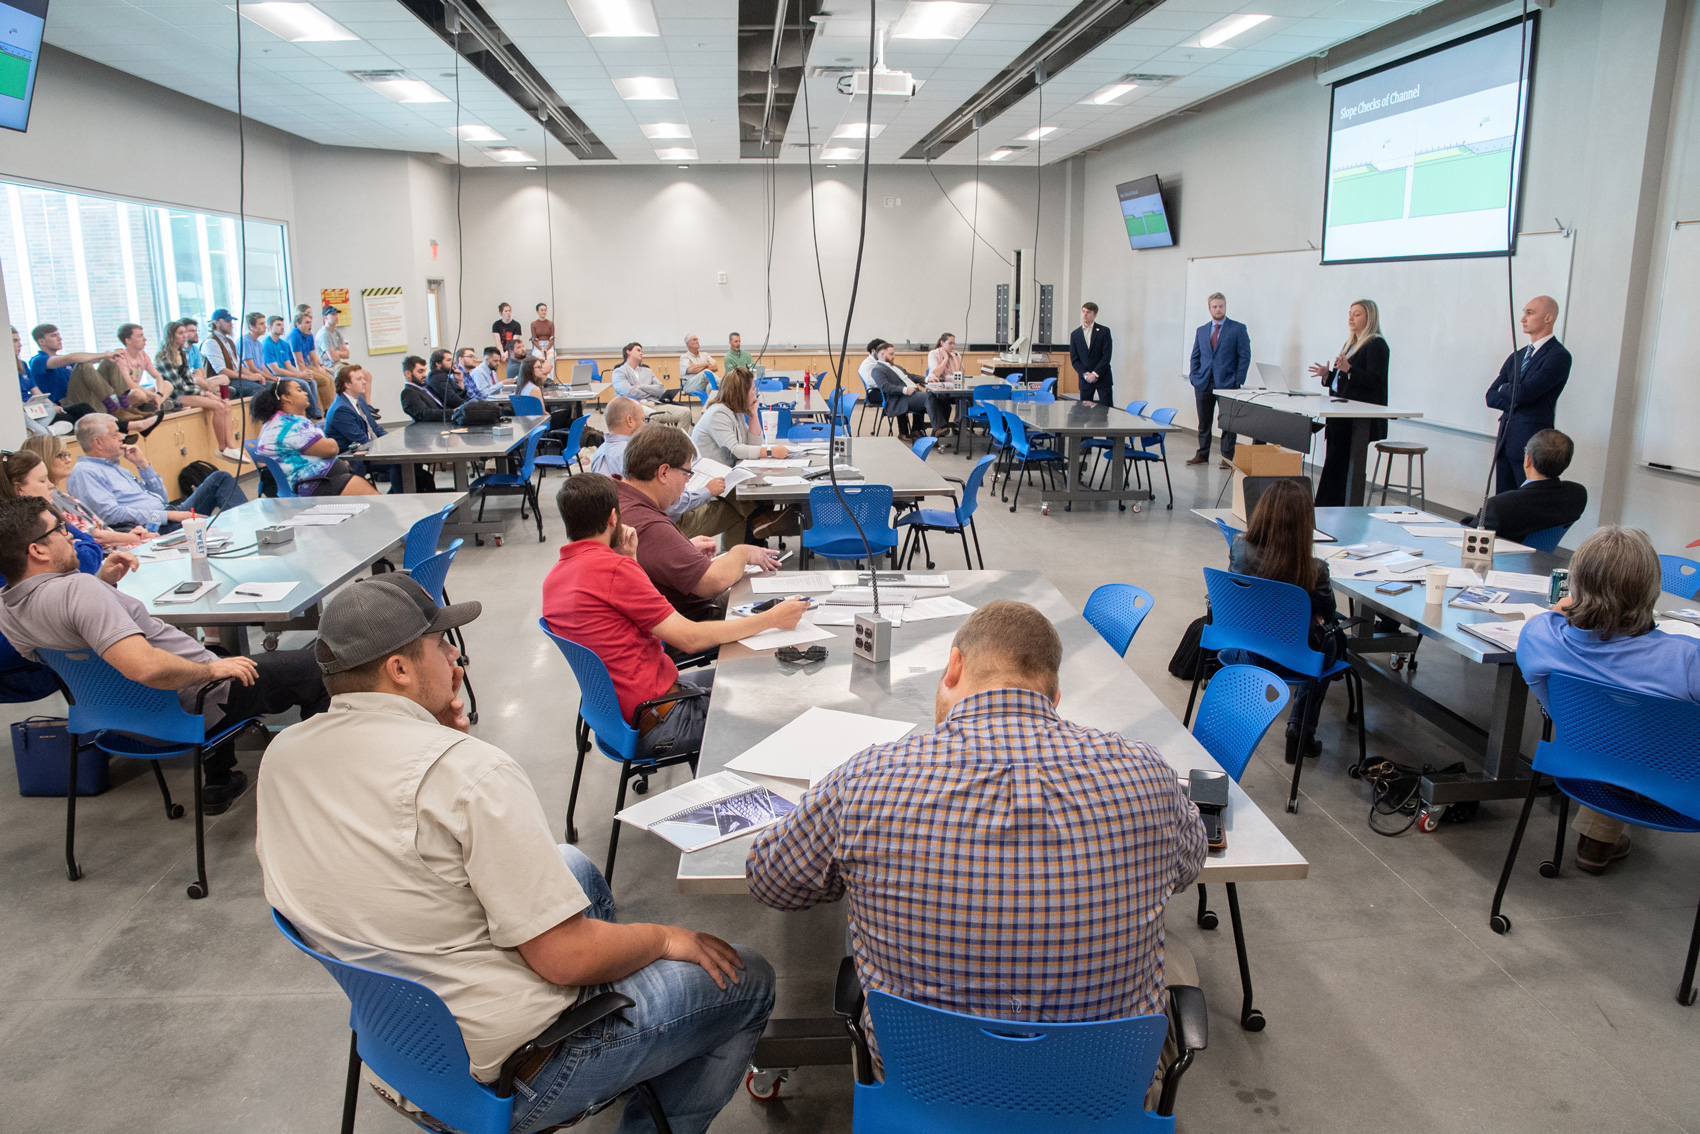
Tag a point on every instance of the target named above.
point(1272, 621)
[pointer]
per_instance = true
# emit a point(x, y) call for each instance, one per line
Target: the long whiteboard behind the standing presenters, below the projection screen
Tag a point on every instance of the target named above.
point(1448, 322)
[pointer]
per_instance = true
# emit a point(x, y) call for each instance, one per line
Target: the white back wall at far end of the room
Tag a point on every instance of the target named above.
point(638, 252)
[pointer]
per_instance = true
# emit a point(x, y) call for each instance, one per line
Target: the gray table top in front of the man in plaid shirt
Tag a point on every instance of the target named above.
point(754, 698)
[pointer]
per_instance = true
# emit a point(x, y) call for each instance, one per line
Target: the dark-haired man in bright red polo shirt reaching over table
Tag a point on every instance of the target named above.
point(599, 598)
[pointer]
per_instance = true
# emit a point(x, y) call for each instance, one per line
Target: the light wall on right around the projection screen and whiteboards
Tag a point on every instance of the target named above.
point(1247, 176)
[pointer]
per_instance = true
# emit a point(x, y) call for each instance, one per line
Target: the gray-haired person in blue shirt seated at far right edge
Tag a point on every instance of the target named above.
point(1606, 633)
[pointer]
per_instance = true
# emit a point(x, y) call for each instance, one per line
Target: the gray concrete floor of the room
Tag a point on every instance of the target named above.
point(1391, 1006)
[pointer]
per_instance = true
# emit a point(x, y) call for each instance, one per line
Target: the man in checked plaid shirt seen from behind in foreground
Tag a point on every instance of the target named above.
point(1006, 865)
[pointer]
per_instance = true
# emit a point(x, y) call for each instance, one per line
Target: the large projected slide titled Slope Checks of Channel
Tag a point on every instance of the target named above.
point(1424, 156)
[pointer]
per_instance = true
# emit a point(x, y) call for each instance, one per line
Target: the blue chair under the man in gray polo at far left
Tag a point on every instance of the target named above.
point(127, 718)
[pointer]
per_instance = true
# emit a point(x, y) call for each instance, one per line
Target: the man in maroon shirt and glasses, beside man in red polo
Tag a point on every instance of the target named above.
point(686, 570)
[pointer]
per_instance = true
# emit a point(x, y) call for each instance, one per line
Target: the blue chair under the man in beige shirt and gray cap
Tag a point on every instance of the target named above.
point(411, 1038)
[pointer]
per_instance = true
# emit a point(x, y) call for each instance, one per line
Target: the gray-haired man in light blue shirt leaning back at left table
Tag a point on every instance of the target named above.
point(122, 501)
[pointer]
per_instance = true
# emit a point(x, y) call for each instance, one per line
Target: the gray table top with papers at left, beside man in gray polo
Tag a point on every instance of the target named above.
point(319, 562)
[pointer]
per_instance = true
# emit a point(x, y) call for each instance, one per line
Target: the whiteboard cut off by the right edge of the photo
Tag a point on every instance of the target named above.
point(1672, 417)
